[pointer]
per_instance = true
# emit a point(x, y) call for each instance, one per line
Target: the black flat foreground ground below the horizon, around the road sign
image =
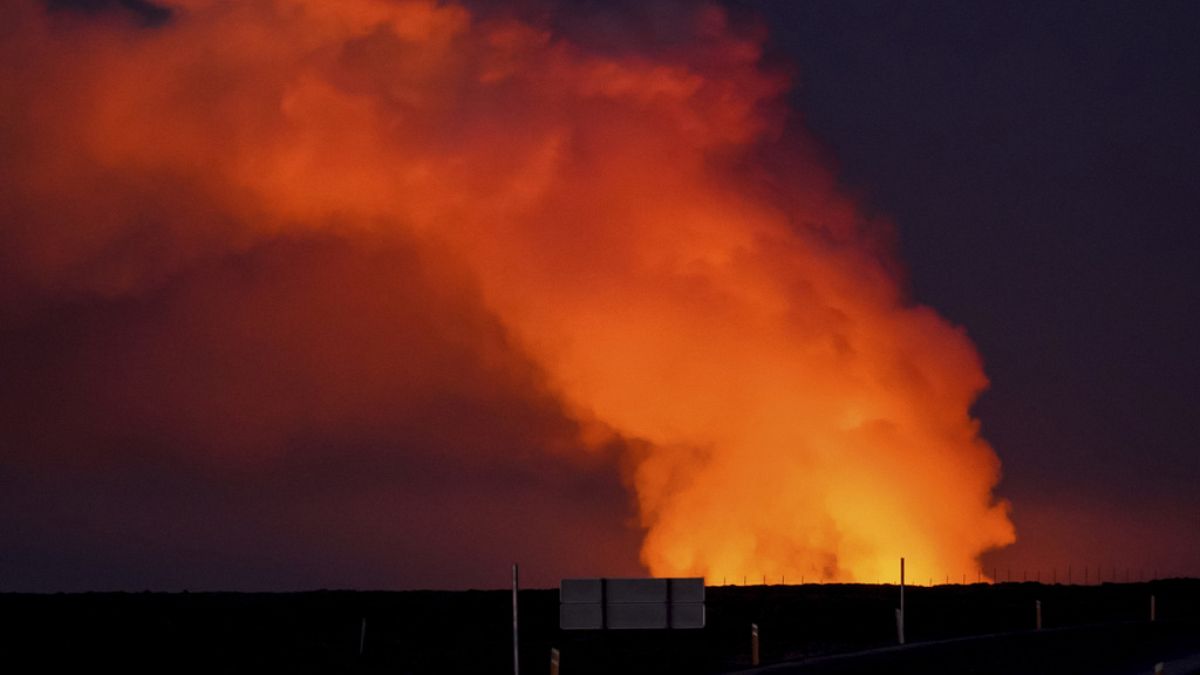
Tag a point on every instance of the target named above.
point(808, 629)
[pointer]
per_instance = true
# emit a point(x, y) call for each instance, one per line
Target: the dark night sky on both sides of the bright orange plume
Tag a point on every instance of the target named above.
point(1040, 163)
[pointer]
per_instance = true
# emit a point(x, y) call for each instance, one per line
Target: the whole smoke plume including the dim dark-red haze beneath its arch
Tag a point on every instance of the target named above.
point(274, 241)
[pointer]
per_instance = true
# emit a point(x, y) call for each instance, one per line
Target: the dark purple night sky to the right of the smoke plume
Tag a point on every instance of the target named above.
point(1041, 162)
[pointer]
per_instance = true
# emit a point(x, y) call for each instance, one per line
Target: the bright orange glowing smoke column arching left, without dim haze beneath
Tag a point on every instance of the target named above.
point(681, 266)
